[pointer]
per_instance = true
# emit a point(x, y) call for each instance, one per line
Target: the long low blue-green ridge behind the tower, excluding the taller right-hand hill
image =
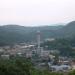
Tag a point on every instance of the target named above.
point(10, 34)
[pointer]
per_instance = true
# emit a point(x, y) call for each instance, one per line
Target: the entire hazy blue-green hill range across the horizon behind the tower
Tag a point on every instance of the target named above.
point(10, 34)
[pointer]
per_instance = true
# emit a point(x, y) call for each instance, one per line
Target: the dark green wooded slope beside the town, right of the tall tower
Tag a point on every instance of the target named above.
point(65, 46)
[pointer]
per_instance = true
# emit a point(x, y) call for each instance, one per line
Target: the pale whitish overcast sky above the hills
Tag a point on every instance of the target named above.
point(36, 12)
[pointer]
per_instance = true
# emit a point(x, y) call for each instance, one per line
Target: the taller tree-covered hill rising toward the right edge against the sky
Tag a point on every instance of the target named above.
point(68, 30)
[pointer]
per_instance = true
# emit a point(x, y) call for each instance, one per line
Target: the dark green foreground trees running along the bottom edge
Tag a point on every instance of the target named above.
point(23, 67)
